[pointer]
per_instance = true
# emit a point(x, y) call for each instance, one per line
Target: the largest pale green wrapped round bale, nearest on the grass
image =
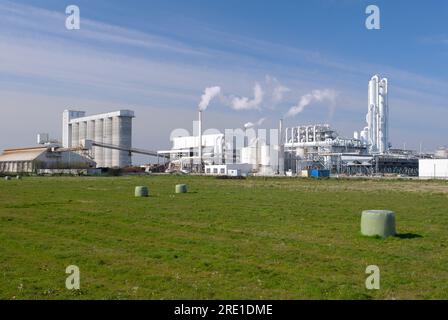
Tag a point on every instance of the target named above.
point(378, 223)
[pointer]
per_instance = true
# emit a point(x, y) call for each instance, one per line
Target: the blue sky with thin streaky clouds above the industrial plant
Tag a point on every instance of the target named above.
point(156, 57)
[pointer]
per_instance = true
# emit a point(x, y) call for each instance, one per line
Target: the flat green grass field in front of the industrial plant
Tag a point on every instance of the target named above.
point(226, 239)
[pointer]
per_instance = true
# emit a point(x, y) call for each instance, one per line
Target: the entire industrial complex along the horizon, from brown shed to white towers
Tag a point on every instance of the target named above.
point(105, 141)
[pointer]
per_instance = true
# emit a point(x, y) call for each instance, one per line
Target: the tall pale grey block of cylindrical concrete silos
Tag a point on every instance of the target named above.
point(110, 129)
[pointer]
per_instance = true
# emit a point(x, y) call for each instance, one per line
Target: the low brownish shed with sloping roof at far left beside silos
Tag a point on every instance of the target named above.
point(32, 160)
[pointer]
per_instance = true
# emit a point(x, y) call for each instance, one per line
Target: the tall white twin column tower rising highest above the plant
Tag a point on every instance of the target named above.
point(376, 134)
